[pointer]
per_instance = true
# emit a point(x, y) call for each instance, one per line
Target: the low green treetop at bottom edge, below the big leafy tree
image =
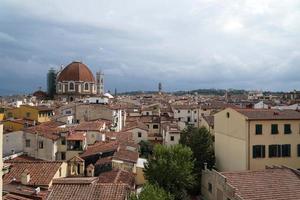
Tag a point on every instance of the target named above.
point(152, 192)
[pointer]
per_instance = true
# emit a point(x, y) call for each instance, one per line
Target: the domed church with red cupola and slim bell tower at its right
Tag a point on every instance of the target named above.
point(76, 81)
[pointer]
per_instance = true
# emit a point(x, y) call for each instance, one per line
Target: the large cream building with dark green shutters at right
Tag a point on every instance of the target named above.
point(250, 139)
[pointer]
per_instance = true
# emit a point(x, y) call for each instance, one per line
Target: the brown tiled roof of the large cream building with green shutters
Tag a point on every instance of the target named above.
point(269, 114)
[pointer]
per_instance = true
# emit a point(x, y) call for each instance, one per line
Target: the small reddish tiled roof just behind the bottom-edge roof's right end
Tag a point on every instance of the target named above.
point(117, 176)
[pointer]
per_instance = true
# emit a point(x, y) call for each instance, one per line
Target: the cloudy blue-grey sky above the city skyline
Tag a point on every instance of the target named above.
point(185, 45)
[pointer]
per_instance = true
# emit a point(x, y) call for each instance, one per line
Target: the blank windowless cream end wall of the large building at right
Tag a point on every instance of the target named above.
point(230, 141)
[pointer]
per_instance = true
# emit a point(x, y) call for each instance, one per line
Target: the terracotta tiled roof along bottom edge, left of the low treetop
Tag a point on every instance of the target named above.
point(94, 191)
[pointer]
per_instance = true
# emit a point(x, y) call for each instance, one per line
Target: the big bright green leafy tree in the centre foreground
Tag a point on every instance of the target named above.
point(171, 168)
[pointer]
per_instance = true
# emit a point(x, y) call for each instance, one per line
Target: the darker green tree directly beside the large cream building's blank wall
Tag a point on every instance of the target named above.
point(200, 140)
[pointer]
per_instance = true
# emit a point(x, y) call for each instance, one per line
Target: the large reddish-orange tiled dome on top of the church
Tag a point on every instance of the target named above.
point(76, 71)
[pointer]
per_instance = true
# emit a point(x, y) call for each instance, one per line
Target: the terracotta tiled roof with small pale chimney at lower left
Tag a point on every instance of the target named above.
point(41, 173)
